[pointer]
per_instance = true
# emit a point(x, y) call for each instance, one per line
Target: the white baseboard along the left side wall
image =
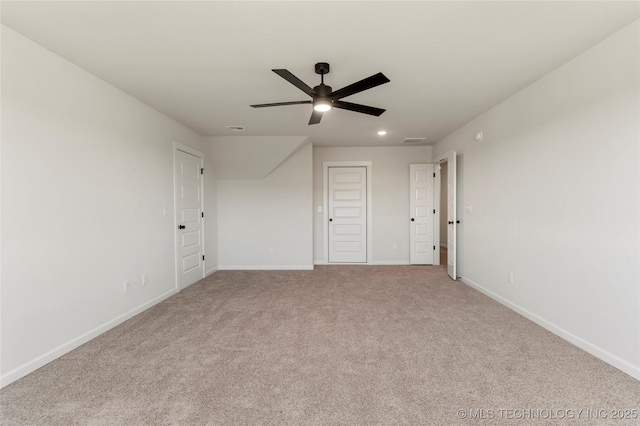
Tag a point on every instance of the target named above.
point(34, 364)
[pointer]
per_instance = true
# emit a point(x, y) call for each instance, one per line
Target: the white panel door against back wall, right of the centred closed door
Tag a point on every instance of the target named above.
point(421, 207)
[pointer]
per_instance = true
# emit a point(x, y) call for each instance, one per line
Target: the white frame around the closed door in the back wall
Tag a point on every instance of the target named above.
point(325, 206)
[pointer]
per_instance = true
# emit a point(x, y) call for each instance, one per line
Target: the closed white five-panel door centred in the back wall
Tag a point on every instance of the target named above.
point(347, 214)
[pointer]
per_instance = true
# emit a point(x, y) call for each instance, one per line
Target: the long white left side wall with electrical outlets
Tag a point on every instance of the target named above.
point(86, 173)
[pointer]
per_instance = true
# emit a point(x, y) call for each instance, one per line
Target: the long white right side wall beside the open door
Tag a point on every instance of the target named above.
point(554, 187)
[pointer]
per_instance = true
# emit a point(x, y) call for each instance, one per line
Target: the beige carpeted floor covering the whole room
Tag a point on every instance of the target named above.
point(340, 345)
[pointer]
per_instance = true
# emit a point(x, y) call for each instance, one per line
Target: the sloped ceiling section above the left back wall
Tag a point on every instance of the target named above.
point(251, 157)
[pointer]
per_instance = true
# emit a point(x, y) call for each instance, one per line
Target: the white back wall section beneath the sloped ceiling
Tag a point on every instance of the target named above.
point(255, 215)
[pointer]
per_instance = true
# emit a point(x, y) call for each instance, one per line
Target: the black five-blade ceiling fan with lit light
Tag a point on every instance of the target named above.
point(324, 98)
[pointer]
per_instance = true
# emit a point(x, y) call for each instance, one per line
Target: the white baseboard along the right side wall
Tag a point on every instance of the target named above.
point(630, 369)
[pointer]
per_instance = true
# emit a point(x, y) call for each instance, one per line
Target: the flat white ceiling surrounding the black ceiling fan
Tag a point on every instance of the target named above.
point(203, 63)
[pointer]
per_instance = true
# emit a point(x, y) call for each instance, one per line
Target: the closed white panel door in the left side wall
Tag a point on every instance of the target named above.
point(188, 208)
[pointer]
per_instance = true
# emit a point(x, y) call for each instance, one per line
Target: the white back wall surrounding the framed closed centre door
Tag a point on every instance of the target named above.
point(390, 197)
